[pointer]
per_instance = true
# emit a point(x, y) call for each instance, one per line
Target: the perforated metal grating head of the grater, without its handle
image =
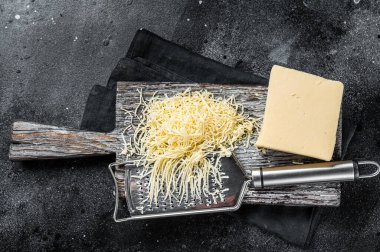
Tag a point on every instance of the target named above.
point(229, 198)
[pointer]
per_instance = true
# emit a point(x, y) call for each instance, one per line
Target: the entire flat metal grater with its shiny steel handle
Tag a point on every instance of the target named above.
point(234, 185)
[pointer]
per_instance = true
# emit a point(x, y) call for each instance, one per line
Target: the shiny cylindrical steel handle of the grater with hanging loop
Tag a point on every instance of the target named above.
point(311, 173)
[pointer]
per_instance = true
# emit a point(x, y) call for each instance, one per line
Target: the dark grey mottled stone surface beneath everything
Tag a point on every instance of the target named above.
point(57, 50)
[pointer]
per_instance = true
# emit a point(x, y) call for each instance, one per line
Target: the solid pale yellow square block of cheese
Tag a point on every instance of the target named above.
point(301, 114)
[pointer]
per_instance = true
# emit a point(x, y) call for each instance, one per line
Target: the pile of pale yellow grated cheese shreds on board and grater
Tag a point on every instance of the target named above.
point(180, 140)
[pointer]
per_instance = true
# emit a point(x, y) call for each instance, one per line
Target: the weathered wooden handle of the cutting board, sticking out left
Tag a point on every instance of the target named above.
point(37, 141)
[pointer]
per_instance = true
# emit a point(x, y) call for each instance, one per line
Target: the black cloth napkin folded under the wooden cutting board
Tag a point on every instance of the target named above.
point(151, 58)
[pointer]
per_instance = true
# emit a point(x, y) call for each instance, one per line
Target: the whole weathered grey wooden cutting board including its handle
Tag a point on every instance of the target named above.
point(36, 141)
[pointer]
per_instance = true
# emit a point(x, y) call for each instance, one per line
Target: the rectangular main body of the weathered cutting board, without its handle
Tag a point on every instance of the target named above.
point(253, 99)
